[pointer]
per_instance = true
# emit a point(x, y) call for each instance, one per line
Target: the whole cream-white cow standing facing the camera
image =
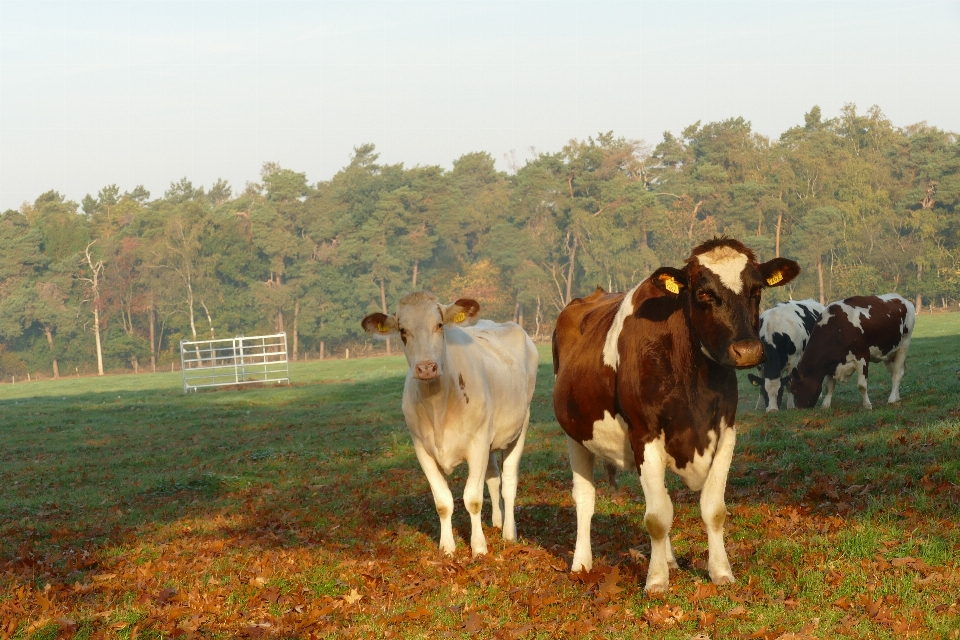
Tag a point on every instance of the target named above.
point(467, 395)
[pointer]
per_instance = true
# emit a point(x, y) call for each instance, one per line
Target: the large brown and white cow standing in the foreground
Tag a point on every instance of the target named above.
point(649, 377)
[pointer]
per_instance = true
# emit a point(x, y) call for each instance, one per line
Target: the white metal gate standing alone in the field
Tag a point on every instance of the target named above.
point(242, 360)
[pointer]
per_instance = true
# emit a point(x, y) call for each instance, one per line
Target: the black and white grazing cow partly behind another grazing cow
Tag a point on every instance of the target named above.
point(784, 332)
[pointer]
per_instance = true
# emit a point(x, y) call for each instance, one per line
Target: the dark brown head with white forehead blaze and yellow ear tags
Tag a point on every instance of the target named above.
point(721, 286)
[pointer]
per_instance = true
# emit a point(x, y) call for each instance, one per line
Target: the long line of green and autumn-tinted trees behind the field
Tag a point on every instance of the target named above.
point(118, 280)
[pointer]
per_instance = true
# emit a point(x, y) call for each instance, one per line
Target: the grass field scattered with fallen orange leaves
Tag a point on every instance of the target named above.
point(130, 510)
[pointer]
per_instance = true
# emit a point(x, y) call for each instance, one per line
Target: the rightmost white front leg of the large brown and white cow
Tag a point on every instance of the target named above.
point(712, 507)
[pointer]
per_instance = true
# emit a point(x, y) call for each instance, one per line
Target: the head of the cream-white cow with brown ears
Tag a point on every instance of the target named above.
point(419, 322)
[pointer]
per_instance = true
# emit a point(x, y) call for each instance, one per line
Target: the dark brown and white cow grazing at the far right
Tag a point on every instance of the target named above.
point(851, 334)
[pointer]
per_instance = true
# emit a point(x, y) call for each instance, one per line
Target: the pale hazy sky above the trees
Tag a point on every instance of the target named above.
point(147, 92)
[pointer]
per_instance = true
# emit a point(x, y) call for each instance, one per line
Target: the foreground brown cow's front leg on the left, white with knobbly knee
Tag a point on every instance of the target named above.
point(658, 517)
